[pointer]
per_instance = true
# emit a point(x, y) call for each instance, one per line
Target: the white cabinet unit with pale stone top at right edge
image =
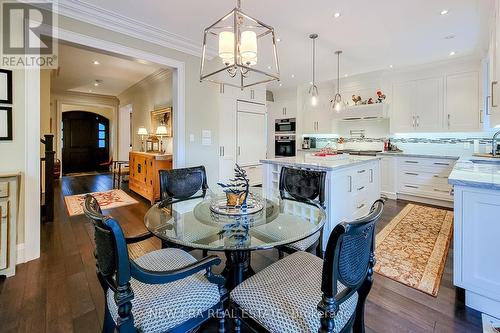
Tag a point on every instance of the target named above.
point(476, 254)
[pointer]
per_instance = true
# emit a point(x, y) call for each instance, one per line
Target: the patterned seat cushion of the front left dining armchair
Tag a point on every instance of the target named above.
point(161, 307)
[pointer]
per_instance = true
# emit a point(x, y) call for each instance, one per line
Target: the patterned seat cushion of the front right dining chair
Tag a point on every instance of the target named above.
point(283, 297)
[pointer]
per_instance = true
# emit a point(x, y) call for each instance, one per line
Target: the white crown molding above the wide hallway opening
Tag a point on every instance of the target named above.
point(104, 18)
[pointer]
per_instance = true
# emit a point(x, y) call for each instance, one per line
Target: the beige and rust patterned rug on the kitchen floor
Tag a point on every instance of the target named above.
point(413, 247)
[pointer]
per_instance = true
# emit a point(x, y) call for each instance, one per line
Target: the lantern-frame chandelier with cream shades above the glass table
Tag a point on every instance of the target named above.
point(238, 35)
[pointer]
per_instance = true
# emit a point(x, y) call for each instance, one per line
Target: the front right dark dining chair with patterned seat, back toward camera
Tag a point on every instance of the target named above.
point(303, 293)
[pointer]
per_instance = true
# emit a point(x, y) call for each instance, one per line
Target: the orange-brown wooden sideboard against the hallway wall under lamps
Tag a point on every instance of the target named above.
point(144, 178)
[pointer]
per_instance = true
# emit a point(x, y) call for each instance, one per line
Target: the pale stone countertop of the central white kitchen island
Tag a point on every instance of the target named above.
point(323, 165)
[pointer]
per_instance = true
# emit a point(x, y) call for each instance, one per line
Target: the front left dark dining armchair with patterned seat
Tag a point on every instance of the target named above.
point(164, 290)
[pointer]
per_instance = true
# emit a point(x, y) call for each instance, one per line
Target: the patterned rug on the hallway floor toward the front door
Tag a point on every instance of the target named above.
point(107, 200)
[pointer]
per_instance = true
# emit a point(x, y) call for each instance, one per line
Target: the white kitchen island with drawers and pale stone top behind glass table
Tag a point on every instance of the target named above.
point(352, 184)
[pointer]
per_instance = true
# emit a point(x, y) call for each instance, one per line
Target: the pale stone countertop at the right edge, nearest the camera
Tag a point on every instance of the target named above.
point(467, 173)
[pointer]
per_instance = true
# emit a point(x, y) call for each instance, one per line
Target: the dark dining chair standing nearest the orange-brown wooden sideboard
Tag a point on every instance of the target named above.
point(179, 185)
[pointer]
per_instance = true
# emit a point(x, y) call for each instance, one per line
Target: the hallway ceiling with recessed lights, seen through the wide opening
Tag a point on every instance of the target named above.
point(78, 73)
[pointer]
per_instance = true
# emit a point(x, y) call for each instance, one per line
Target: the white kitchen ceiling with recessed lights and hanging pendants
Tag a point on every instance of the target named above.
point(372, 34)
